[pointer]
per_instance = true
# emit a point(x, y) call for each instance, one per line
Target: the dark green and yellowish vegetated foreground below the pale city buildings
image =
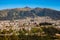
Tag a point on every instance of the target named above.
point(36, 33)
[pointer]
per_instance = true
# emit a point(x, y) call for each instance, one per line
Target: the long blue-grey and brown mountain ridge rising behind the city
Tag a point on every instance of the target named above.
point(20, 13)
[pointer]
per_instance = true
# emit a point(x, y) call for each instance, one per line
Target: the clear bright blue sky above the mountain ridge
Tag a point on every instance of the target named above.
point(9, 4)
